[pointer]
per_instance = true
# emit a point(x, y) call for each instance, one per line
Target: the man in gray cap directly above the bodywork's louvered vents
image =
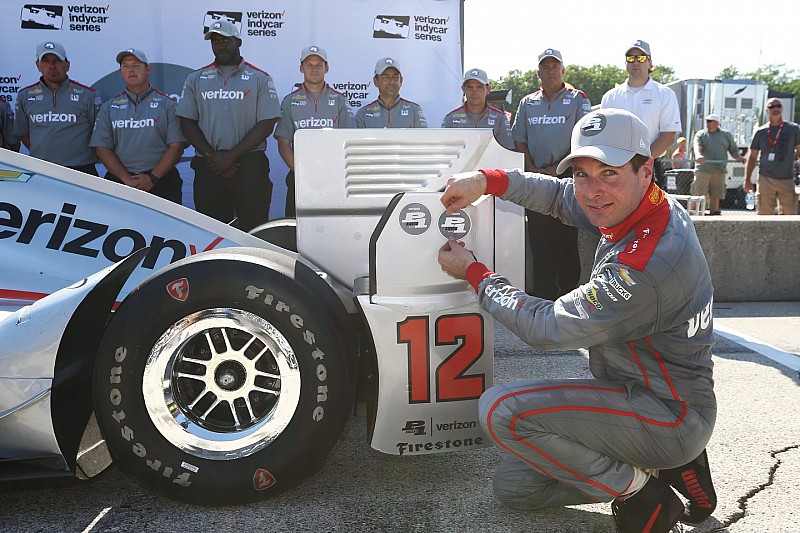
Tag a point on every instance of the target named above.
point(389, 110)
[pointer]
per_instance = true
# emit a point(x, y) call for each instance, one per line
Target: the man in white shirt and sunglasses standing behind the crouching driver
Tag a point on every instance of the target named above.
point(655, 104)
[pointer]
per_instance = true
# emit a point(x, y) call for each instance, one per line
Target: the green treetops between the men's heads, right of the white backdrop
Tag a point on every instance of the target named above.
point(594, 81)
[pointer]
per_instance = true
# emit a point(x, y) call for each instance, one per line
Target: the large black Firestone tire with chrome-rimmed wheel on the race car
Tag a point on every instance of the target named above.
point(226, 377)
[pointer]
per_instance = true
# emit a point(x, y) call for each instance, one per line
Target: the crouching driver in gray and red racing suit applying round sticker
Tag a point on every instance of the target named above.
point(639, 428)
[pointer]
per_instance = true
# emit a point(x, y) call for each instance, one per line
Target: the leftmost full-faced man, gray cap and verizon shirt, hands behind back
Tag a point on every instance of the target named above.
point(55, 115)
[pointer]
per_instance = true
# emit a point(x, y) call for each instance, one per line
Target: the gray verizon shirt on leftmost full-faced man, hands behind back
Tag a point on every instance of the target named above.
point(59, 123)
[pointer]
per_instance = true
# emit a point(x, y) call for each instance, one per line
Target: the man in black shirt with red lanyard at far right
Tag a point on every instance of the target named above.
point(777, 142)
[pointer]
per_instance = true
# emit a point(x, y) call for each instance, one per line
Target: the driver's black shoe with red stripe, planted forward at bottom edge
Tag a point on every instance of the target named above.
point(654, 509)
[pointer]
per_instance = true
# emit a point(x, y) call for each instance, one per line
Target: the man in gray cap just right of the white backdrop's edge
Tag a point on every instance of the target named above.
point(476, 113)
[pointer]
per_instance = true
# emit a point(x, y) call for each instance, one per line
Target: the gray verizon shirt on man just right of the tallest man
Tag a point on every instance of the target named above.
point(303, 110)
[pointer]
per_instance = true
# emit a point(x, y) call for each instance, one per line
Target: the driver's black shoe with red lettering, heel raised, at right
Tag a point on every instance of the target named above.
point(693, 480)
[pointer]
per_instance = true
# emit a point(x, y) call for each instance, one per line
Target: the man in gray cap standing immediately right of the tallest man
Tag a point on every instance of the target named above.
point(315, 104)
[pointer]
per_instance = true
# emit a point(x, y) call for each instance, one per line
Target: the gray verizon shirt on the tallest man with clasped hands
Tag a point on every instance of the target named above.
point(227, 107)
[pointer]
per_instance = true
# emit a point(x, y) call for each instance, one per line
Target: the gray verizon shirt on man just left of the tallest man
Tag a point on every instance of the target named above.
point(138, 128)
